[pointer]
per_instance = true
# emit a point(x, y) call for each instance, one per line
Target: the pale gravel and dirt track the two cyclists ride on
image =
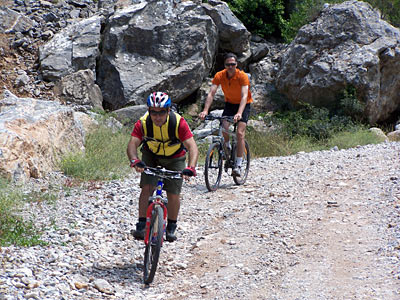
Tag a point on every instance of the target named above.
point(320, 225)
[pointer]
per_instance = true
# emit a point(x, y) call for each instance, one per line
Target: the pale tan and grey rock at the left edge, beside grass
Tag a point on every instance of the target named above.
point(33, 134)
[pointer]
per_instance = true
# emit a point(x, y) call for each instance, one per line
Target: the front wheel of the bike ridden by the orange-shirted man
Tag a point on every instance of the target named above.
point(213, 163)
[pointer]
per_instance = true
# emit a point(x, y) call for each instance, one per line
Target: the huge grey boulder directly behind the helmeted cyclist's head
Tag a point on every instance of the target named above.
point(155, 45)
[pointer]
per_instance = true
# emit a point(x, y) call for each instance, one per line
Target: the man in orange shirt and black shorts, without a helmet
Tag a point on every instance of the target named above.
point(236, 87)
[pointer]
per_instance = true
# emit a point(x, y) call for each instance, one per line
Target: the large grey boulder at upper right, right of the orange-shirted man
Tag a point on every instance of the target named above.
point(348, 45)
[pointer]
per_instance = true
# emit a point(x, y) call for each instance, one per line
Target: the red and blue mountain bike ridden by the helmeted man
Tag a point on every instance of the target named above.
point(156, 219)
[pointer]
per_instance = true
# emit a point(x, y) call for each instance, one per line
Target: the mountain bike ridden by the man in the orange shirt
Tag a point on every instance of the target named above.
point(218, 153)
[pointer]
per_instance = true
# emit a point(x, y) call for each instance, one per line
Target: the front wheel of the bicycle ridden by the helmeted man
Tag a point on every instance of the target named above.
point(153, 248)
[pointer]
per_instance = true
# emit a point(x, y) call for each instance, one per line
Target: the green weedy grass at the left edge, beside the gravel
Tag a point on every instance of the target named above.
point(14, 230)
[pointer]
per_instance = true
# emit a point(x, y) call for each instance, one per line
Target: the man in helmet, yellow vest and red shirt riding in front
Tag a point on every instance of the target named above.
point(166, 137)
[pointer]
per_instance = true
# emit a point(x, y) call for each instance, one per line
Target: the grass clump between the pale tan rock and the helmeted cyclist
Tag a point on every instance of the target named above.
point(104, 157)
